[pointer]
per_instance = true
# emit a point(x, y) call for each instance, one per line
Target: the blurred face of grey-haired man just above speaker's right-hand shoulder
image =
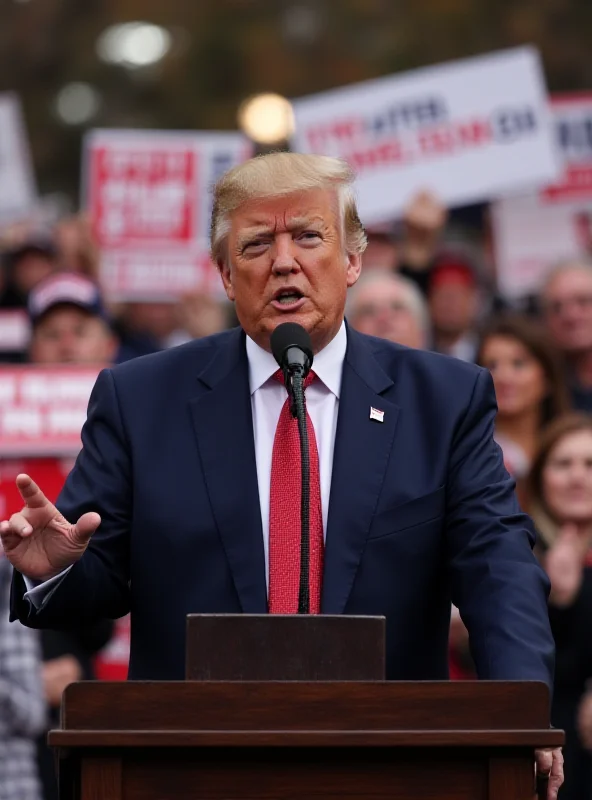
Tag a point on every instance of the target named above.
point(383, 309)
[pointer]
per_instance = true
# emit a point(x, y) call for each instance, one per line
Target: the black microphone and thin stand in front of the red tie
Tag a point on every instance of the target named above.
point(292, 349)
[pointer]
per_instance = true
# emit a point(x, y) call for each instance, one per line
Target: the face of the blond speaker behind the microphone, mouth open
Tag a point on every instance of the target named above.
point(286, 263)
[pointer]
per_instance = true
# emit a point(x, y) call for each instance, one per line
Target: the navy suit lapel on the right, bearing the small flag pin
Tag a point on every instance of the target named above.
point(362, 449)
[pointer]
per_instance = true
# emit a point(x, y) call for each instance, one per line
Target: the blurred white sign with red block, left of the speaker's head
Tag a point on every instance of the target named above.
point(149, 196)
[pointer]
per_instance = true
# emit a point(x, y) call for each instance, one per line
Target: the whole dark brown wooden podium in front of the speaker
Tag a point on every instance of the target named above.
point(242, 739)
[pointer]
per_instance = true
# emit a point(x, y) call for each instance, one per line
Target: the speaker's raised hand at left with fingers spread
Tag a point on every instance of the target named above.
point(38, 541)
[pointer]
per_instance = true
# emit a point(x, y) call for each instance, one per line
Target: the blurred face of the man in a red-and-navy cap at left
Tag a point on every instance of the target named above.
point(68, 335)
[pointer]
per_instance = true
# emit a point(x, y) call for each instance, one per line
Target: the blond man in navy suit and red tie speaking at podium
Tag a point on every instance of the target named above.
point(185, 497)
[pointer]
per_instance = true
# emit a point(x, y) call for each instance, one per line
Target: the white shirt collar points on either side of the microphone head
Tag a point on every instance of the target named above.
point(327, 365)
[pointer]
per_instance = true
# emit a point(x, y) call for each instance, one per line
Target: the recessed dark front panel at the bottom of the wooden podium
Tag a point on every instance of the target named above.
point(304, 775)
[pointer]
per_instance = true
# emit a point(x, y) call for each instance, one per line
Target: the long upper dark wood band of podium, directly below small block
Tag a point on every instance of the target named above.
point(470, 705)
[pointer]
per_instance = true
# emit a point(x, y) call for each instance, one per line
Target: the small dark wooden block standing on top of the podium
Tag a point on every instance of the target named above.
point(272, 647)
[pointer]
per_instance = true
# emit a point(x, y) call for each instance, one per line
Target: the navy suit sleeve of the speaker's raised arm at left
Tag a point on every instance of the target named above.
point(98, 585)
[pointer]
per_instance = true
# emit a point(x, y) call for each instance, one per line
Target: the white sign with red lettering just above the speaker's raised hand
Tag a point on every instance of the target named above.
point(43, 409)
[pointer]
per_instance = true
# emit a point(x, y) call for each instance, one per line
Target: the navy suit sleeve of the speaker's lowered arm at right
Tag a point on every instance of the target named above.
point(497, 583)
